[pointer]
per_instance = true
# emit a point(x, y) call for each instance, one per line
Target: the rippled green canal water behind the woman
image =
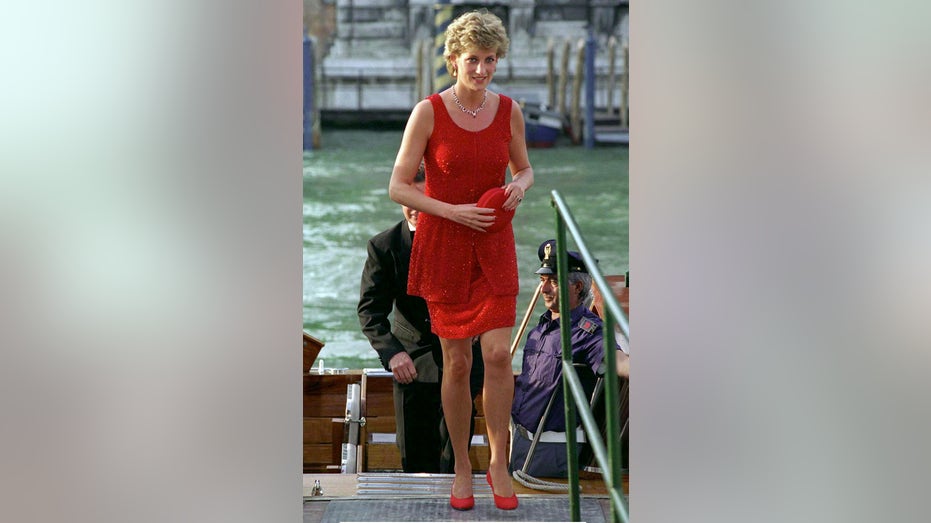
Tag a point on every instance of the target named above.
point(346, 202)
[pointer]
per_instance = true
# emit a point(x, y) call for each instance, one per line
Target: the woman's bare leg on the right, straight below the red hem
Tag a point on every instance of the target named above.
point(497, 397)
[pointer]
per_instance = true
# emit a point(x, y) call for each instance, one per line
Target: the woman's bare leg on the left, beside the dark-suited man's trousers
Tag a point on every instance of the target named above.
point(457, 408)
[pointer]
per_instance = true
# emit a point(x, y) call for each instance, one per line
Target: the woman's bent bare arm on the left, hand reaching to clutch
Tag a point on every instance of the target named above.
point(401, 187)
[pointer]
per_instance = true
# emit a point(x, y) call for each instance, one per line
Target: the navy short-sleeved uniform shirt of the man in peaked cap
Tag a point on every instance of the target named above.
point(542, 367)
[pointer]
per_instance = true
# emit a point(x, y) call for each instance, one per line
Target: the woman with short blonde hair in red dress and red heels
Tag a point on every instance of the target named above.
point(468, 137)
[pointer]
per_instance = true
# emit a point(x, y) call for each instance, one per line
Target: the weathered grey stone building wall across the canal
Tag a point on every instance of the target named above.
point(370, 58)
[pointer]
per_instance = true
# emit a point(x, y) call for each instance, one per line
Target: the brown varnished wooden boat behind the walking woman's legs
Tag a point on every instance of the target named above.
point(350, 451)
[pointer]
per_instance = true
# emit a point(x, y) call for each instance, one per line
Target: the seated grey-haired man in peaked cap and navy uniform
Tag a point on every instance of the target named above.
point(538, 391)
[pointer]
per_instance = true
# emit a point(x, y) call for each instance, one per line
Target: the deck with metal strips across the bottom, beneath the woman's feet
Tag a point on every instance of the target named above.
point(425, 497)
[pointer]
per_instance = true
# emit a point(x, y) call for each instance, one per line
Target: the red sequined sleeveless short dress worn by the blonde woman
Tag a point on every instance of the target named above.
point(468, 278)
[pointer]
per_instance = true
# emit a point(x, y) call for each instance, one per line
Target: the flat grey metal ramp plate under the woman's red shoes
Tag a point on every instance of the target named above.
point(437, 509)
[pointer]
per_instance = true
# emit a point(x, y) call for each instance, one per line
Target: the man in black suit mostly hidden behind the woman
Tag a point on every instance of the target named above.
point(408, 348)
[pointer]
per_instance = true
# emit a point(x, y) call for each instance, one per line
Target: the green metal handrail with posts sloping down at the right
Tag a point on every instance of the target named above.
point(609, 460)
